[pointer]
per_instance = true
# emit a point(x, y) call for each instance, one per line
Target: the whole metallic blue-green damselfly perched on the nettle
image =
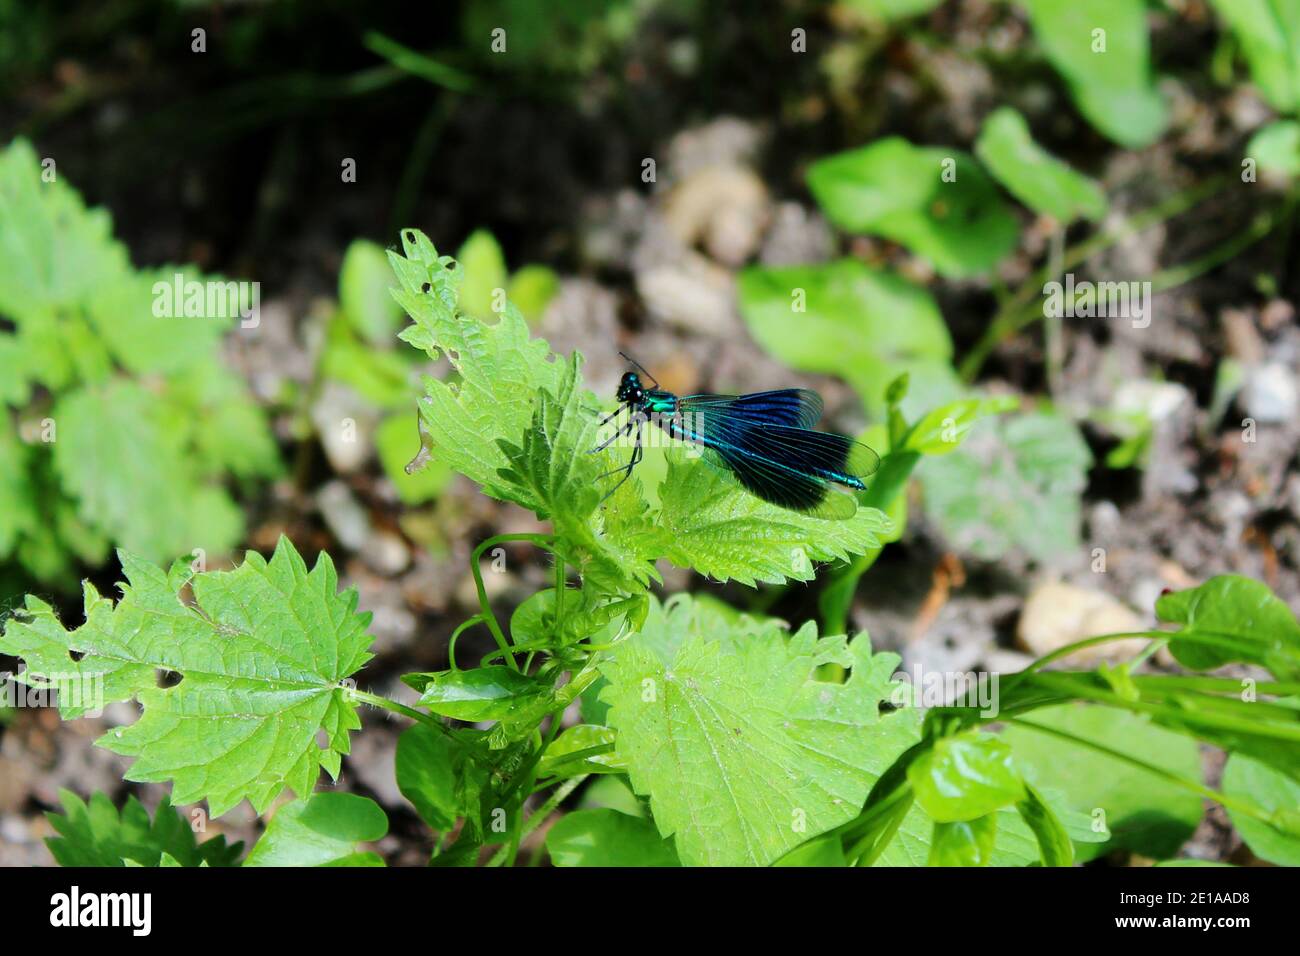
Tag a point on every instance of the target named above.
point(765, 439)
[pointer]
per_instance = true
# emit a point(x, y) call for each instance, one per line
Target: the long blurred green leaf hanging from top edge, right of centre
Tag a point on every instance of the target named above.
point(1100, 49)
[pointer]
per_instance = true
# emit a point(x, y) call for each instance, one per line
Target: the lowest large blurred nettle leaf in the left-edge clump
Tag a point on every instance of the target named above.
point(125, 464)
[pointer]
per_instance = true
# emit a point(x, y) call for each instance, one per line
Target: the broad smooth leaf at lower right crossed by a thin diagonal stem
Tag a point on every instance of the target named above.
point(1145, 814)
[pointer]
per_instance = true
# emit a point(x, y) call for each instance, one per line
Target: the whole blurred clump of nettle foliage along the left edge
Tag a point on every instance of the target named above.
point(118, 422)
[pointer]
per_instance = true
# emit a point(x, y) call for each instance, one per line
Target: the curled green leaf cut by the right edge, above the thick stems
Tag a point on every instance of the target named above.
point(1232, 618)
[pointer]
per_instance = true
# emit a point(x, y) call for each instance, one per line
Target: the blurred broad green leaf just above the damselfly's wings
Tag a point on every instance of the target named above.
point(852, 321)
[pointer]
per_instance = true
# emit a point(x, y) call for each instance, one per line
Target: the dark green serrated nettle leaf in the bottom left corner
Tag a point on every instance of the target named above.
point(96, 834)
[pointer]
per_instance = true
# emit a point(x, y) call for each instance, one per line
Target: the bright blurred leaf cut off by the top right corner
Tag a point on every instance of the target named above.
point(1269, 32)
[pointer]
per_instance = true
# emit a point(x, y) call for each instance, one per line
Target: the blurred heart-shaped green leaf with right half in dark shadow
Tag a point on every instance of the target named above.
point(938, 202)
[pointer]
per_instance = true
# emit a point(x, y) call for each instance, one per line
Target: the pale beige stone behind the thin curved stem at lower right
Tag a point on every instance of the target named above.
point(1058, 615)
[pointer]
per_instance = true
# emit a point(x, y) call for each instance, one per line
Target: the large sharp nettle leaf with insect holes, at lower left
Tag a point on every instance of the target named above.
point(261, 657)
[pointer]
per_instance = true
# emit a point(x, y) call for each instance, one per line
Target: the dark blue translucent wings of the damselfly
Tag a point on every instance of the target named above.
point(761, 439)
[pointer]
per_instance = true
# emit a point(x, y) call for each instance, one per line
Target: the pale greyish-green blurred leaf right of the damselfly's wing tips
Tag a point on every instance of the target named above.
point(1016, 483)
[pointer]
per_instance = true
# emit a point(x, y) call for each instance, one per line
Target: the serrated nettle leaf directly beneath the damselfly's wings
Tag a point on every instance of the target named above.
point(710, 524)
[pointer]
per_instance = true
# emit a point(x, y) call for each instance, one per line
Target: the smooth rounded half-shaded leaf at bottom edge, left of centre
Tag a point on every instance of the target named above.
point(323, 830)
